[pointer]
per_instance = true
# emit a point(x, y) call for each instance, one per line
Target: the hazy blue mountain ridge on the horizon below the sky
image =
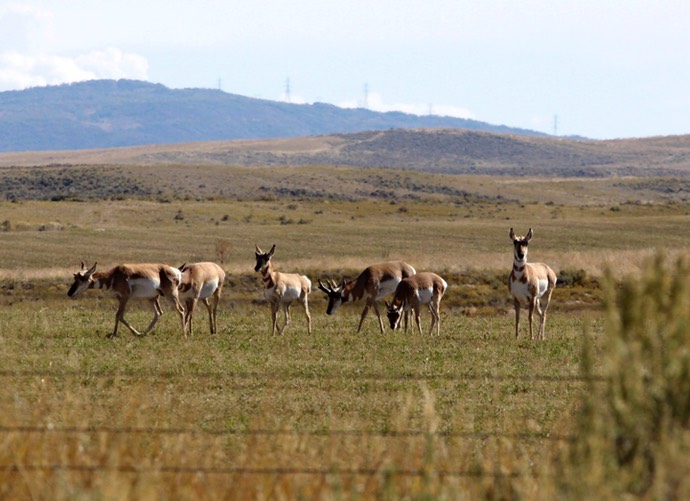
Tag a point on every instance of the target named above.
point(116, 113)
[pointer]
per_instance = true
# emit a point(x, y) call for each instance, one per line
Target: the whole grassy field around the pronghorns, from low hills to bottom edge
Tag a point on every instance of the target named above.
point(332, 415)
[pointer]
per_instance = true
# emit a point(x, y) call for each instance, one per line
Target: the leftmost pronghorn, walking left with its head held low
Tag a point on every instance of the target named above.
point(133, 281)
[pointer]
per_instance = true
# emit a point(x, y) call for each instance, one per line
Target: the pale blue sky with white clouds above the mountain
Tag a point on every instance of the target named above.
point(596, 68)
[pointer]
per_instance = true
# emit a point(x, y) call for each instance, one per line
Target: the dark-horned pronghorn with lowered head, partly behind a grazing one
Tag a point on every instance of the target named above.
point(377, 281)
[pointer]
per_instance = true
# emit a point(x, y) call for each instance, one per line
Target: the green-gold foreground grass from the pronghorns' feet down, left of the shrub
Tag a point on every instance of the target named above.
point(246, 400)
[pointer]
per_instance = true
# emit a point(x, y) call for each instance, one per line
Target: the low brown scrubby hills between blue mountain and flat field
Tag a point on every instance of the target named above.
point(425, 164)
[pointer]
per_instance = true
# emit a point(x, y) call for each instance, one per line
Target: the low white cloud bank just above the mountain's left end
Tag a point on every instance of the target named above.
point(19, 71)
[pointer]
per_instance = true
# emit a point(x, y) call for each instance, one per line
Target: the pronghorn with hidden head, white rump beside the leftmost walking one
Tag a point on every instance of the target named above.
point(201, 281)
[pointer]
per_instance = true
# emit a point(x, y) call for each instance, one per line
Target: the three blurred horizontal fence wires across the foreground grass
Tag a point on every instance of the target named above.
point(242, 380)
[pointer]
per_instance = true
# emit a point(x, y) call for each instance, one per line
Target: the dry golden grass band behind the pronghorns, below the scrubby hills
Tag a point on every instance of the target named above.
point(333, 237)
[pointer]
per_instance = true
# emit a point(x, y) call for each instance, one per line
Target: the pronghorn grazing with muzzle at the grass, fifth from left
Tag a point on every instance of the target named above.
point(412, 293)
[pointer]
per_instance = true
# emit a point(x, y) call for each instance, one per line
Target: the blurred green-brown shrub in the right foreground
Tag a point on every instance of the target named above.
point(633, 433)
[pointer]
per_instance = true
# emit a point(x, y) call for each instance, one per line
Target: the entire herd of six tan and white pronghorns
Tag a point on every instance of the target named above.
point(528, 283)
